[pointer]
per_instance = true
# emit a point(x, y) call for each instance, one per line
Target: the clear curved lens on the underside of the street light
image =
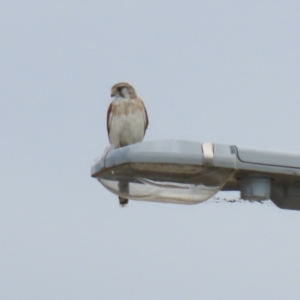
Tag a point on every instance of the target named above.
point(171, 183)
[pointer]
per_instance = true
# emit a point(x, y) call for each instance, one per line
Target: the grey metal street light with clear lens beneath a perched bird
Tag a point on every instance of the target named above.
point(186, 172)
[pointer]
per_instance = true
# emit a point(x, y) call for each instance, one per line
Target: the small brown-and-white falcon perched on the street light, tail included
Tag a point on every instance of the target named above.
point(127, 121)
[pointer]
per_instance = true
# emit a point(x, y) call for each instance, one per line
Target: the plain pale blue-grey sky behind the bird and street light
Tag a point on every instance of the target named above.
point(220, 71)
